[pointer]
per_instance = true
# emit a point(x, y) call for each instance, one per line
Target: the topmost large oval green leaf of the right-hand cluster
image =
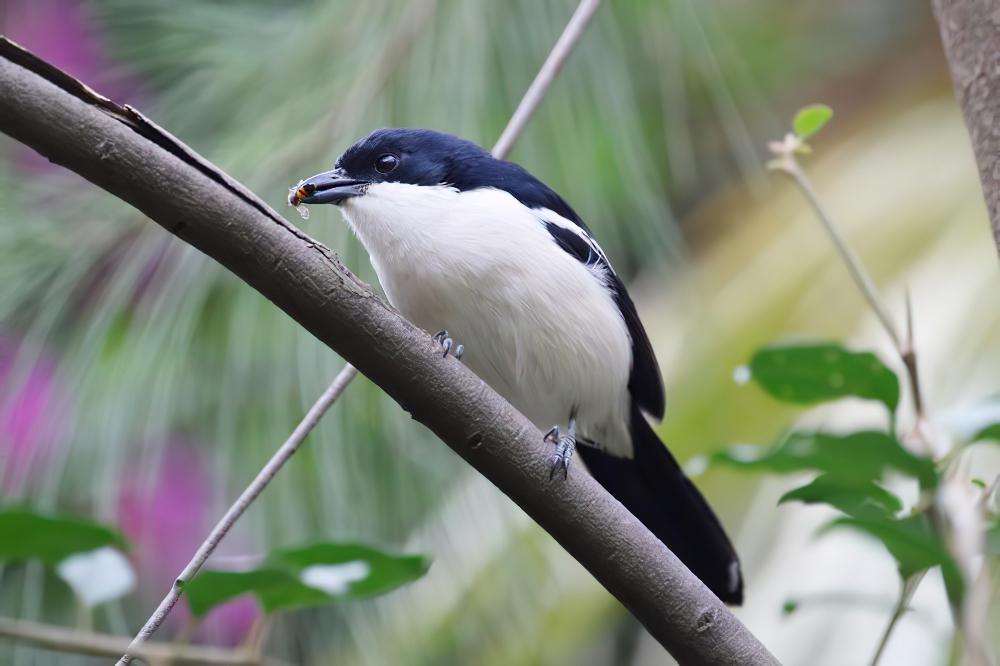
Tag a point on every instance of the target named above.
point(807, 374)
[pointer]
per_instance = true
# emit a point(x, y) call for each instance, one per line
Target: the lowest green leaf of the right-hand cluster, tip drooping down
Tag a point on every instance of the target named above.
point(914, 544)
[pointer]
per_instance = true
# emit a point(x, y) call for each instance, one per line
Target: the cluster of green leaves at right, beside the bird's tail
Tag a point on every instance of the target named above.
point(851, 468)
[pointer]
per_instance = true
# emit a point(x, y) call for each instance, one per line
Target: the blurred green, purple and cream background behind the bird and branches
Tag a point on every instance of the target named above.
point(143, 385)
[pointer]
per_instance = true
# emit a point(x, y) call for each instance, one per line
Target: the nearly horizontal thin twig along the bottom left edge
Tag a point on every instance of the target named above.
point(63, 639)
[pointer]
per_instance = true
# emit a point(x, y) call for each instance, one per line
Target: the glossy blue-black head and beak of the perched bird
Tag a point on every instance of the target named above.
point(417, 157)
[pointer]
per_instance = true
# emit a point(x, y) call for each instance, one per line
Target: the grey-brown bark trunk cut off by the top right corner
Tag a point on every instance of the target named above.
point(970, 31)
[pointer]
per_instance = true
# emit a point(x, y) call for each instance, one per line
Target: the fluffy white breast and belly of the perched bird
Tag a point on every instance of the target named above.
point(538, 325)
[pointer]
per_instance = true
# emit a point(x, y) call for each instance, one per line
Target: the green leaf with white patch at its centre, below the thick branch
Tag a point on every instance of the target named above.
point(314, 575)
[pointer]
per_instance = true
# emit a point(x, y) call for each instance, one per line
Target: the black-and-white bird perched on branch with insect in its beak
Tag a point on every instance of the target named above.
point(485, 254)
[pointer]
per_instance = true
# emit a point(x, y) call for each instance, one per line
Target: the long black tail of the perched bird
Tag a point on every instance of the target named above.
point(653, 487)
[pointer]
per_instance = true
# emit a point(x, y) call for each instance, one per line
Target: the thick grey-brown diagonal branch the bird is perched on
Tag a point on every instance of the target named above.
point(119, 150)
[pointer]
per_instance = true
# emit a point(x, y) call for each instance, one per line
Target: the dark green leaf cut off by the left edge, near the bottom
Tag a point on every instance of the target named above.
point(26, 535)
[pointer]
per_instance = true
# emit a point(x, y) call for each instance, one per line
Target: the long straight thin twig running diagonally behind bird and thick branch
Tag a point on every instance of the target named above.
point(543, 81)
